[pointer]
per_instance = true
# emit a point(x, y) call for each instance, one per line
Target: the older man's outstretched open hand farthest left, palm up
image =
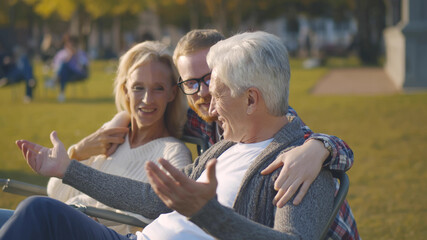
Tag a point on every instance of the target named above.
point(50, 162)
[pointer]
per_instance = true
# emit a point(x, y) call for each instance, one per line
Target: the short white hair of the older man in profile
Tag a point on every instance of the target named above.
point(254, 59)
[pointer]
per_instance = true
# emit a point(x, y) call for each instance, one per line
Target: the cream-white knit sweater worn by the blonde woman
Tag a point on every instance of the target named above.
point(125, 162)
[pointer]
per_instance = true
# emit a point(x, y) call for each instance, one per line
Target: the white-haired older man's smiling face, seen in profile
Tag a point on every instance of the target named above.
point(230, 111)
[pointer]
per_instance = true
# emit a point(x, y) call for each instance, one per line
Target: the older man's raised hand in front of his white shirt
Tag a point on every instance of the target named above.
point(179, 192)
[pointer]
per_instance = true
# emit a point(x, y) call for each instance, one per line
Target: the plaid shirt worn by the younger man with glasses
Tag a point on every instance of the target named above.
point(341, 158)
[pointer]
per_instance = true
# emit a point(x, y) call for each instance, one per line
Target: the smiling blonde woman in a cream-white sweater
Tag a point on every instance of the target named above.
point(145, 90)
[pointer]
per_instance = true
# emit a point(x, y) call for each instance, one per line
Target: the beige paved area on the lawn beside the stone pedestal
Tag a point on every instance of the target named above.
point(355, 81)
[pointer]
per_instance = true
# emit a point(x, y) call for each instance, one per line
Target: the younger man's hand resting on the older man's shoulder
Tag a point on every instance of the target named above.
point(301, 166)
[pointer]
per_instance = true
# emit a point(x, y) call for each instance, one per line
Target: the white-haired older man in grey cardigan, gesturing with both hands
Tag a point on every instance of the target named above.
point(222, 194)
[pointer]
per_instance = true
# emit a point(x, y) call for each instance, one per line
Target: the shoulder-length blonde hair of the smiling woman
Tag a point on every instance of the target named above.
point(142, 53)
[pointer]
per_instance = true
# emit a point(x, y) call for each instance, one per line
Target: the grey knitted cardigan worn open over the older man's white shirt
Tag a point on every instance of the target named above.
point(253, 215)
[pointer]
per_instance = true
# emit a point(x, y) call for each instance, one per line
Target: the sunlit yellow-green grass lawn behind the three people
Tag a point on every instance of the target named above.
point(388, 134)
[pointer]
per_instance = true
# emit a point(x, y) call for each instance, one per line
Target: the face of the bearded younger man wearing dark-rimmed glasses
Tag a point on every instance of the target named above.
point(195, 66)
